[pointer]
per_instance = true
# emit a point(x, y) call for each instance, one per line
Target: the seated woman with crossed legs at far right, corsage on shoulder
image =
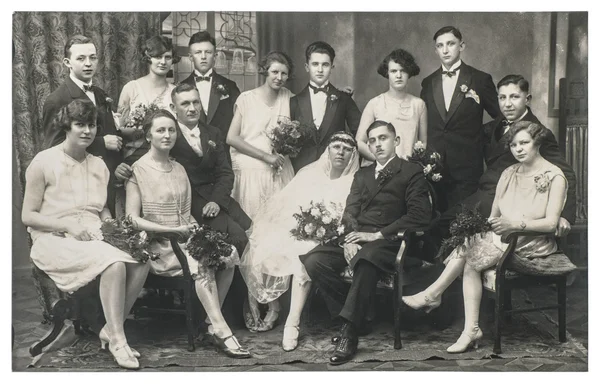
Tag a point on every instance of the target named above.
point(530, 196)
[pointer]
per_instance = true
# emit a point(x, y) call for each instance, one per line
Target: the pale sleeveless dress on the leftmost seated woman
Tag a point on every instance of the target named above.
point(76, 191)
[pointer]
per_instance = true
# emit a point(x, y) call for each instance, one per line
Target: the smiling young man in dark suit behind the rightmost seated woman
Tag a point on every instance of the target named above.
point(513, 100)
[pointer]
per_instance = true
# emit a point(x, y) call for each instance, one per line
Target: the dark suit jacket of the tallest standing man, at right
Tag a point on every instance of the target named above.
point(457, 134)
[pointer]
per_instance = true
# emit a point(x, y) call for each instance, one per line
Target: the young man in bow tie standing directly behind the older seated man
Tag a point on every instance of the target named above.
point(217, 93)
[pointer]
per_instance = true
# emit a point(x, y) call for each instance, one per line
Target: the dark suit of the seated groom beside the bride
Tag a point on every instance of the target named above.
point(401, 202)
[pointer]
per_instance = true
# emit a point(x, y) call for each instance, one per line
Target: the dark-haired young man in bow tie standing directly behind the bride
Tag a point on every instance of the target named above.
point(321, 104)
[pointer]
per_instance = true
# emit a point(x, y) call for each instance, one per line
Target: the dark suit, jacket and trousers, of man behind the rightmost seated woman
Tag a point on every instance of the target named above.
point(498, 157)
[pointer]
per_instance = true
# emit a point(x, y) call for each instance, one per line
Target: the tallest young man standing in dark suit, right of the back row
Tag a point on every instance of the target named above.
point(456, 95)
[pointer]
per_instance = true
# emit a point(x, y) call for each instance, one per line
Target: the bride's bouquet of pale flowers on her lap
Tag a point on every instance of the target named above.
point(319, 223)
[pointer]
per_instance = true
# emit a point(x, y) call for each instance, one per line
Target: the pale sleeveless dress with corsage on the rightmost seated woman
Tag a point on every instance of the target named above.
point(521, 197)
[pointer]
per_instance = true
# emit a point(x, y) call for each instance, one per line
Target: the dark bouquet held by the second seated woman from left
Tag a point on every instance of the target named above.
point(209, 247)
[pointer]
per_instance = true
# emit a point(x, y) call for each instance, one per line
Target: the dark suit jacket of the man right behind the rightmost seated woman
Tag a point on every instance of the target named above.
point(498, 157)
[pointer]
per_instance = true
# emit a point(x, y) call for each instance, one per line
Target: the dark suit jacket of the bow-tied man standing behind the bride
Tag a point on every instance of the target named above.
point(339, 112)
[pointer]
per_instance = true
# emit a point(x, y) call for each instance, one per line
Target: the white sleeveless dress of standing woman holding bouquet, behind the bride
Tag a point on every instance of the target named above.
point(255, 181)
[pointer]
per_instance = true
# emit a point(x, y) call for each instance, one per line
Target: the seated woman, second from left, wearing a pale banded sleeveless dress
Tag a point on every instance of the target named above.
point(159, 199)
